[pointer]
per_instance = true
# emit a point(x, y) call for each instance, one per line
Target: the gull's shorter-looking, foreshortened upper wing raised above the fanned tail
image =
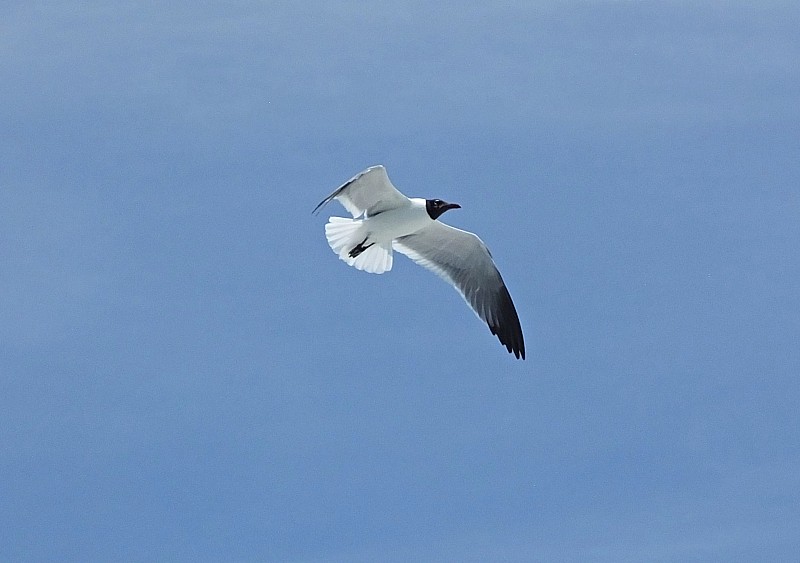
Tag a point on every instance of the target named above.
point(368, 192)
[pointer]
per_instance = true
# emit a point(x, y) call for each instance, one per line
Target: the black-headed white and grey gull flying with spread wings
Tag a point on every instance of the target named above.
point(385, 220)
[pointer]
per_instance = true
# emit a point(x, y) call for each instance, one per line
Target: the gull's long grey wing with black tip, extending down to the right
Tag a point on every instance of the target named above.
point(462, 259)
